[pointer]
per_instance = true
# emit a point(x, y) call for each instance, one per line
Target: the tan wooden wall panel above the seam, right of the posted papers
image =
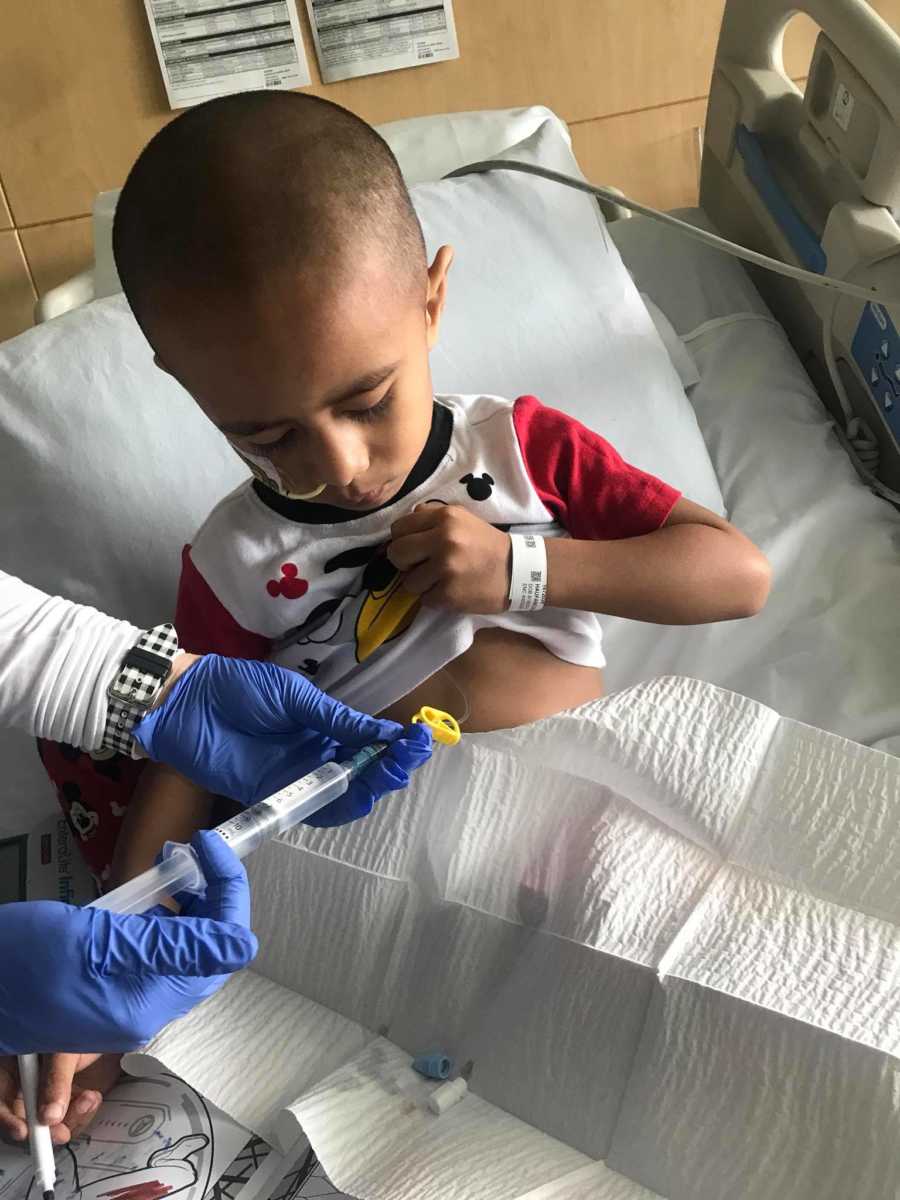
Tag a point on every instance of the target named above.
point(583, 58)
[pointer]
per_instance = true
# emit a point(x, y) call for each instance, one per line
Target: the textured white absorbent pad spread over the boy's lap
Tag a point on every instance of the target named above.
point(661, 932)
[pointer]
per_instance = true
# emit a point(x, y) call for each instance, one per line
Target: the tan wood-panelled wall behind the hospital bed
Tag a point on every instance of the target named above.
point(81, 93)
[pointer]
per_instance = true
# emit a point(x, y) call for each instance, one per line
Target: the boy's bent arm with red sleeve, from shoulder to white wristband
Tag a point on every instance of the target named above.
point(639, 549)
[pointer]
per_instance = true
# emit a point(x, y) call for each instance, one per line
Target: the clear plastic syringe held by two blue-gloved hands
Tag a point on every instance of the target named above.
point(181, 869)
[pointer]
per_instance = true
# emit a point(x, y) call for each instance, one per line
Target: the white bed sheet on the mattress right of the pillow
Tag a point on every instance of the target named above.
point(827, 647)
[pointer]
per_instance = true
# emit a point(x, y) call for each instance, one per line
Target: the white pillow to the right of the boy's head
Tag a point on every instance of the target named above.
point(541, 303)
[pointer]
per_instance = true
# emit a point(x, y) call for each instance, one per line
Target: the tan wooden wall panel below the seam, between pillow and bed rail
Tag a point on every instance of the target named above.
point(653, 157)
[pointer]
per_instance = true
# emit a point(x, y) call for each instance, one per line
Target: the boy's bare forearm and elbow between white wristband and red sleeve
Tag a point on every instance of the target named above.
point(698, 568)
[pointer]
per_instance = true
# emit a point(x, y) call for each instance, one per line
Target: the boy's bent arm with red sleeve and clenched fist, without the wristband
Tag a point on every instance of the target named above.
point(637, 548)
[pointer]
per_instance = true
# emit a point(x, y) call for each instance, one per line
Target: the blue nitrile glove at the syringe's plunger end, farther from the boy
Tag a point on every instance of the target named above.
point(86, 980)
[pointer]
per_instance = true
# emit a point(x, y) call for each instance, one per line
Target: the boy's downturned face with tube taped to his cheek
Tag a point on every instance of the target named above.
point(327, 381)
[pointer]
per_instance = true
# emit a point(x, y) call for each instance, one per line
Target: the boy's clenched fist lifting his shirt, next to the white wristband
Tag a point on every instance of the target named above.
point(452, 559)
